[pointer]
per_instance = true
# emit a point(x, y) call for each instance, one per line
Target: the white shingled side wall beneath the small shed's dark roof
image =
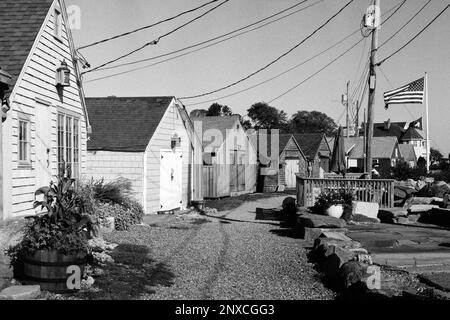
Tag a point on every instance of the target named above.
point(110, 165)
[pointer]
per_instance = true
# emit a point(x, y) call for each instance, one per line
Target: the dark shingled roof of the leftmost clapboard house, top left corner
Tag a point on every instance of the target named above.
point(20, 22)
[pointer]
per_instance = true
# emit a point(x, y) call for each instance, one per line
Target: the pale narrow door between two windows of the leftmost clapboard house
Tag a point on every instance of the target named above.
point(43, 145)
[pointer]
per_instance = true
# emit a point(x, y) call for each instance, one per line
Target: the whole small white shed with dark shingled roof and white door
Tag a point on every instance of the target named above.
point(150, 141)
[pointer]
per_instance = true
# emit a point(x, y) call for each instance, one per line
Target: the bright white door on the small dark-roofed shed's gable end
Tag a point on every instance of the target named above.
point(171, 180)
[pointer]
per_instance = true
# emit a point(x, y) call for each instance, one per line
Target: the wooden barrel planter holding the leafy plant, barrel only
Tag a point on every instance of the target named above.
point(49, 269)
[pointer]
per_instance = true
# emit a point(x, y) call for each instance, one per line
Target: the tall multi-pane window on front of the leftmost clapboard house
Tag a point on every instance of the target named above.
point(69, 144)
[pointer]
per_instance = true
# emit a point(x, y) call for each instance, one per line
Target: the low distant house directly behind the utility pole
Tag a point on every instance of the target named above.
point(385, 154)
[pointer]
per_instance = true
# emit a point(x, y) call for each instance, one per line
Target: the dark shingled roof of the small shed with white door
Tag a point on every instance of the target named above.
point(125, 123)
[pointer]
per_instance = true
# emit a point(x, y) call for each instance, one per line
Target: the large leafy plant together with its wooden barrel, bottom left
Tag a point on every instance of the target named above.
point(53, 250)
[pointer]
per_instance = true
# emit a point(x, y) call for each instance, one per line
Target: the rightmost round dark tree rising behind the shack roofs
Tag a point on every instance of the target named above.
point(313, 121)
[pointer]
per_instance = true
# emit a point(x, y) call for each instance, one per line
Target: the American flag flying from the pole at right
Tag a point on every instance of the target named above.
point(411, 93)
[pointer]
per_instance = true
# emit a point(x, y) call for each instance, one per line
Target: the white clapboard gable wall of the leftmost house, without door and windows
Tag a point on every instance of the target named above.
point(38, 82)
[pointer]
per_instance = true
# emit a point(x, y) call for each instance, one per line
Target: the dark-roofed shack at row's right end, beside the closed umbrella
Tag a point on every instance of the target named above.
point(317, 151)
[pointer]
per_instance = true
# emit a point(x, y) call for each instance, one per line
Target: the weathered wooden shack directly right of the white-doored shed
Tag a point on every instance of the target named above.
point(229, 157)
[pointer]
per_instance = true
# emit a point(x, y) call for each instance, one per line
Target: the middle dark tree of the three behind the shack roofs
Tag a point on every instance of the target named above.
point(267, 117)
